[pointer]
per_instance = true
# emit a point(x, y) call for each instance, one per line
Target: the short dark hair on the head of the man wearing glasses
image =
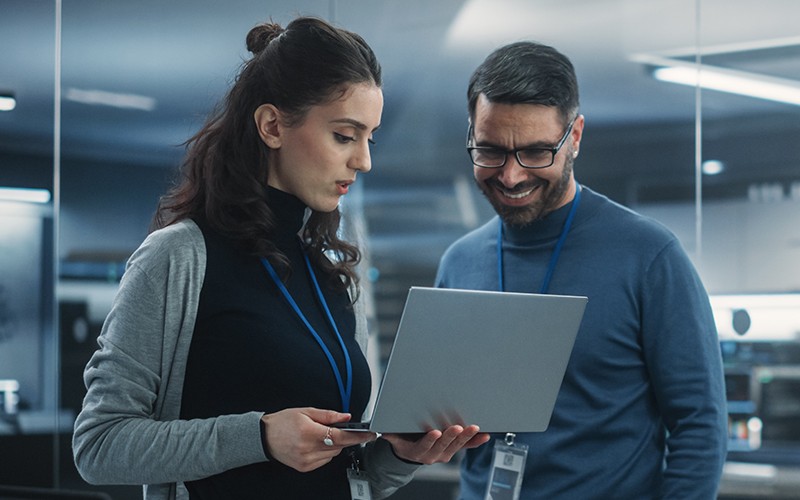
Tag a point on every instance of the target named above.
point(526, 73)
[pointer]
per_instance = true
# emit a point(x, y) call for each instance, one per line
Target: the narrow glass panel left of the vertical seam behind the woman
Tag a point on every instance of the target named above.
point(29, 420)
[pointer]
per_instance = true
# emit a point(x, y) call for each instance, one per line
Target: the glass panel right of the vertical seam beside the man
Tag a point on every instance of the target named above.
point(751, 208)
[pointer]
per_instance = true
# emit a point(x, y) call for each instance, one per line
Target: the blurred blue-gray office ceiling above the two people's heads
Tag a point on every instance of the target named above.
point(179, 56)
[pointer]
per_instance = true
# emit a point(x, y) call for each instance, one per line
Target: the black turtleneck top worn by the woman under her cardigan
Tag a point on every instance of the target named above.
point(250, 351)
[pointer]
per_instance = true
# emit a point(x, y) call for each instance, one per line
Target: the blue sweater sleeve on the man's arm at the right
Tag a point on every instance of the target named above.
point(685, 365)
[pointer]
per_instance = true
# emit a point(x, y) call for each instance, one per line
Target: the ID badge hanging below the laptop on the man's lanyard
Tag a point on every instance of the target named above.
point(508, 464)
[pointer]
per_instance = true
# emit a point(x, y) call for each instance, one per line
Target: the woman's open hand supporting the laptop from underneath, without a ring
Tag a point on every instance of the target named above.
point(436, 446)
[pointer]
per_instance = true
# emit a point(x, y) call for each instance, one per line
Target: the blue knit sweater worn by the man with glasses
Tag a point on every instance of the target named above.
point(641, 412)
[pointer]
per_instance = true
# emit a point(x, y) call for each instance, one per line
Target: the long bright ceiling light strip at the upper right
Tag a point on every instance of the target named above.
point(748, 84)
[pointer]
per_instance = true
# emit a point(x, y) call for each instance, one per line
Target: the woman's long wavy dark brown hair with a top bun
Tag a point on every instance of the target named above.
point(224, 173)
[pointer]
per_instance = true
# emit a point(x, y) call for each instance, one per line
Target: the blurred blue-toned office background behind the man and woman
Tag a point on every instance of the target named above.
point(100, 94)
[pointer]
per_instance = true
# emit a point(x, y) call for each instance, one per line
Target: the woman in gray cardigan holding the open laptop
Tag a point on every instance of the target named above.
point(233, 344)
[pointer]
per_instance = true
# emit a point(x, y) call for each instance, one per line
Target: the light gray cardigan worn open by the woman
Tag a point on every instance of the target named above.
point(129, 431)
